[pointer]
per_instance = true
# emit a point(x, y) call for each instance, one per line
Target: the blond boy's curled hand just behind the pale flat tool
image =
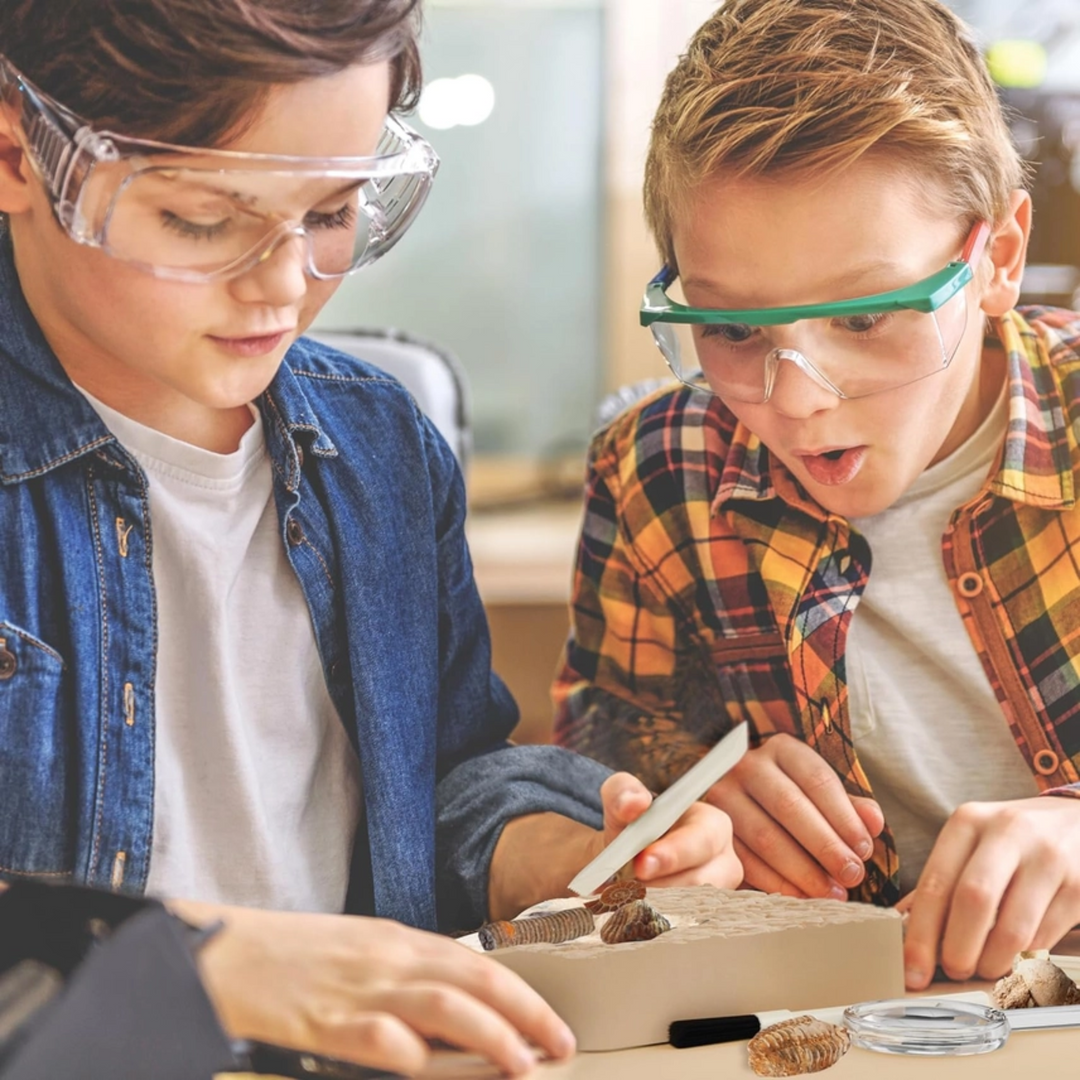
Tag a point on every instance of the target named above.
point(796, 830)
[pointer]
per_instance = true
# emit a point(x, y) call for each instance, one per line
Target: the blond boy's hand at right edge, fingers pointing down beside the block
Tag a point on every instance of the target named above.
point(1002, 877)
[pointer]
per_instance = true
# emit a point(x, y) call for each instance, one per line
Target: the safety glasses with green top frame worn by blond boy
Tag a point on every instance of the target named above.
point(853, 348)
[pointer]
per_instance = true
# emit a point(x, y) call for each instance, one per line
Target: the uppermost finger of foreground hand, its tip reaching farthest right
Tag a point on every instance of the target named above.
point(510, 996)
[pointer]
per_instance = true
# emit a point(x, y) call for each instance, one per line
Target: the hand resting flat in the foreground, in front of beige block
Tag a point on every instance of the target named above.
point(369, 991)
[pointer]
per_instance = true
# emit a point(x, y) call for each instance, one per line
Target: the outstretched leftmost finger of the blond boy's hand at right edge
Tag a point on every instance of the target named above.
point(930, 909)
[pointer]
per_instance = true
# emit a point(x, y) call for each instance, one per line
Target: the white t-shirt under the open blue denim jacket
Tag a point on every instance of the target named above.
point(256, 785)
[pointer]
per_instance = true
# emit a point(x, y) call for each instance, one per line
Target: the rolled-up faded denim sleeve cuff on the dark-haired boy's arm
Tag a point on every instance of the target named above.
point(481, 795)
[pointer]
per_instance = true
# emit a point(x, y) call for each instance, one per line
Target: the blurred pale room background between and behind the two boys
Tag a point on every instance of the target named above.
point(530, 260)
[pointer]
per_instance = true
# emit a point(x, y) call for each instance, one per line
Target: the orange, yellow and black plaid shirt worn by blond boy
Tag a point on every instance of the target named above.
point(710, 590)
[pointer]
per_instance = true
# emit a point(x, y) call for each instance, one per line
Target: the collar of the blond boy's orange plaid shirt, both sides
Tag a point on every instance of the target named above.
point(1034, 468)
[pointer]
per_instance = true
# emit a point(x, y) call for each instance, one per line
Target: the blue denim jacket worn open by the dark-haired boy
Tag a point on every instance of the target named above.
point(372, 510)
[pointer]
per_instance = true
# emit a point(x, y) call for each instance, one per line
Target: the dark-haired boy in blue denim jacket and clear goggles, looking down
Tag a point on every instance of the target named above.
point(242, 656)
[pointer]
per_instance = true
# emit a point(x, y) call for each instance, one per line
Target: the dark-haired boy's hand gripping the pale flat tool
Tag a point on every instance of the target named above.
point(696, 850)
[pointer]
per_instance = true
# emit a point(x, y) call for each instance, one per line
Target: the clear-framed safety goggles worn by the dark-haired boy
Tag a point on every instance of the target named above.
point(197, 215)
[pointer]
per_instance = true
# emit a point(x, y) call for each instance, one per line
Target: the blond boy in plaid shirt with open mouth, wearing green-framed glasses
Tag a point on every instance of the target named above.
point(857, 528)
